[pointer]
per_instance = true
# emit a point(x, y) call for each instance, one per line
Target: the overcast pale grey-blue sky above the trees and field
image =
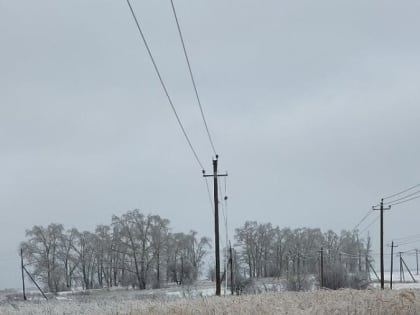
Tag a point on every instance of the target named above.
point(314, 108)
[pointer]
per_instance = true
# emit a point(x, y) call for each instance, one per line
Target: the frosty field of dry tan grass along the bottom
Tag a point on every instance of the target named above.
point(194, 300)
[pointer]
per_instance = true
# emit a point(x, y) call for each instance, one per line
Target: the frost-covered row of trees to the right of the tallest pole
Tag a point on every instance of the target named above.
point(269, 251)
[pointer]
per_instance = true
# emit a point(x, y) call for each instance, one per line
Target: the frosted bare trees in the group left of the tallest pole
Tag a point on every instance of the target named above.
point(135, 249)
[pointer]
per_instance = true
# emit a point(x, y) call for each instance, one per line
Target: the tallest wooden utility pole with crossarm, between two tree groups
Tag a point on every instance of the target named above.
point(216, 221)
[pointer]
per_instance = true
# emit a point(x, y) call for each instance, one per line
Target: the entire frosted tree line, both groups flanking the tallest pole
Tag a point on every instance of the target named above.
point(141, 251)
